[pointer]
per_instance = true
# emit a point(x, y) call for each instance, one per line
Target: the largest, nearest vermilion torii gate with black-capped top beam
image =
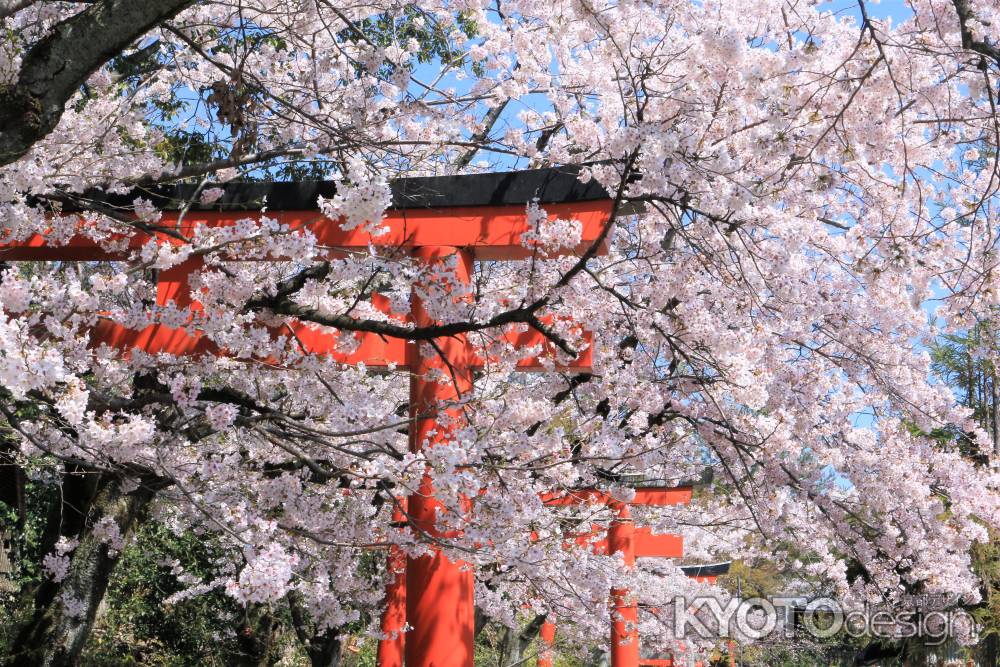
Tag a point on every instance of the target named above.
point(466, 217)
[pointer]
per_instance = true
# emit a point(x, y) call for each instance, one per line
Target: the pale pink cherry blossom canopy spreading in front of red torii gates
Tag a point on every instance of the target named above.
point(794, 188)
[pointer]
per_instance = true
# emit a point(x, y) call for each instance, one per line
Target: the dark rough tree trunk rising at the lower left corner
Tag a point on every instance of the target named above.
point(64, 612)
